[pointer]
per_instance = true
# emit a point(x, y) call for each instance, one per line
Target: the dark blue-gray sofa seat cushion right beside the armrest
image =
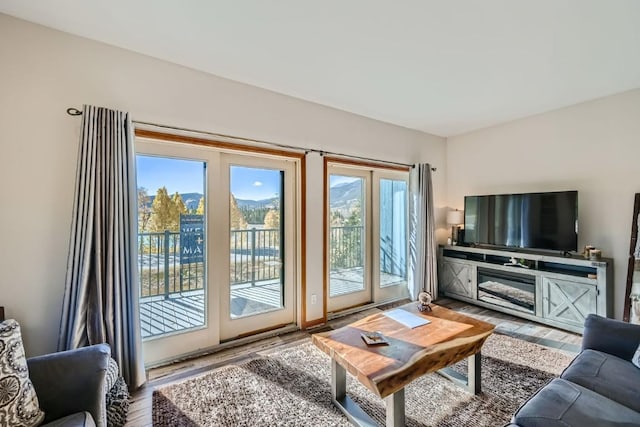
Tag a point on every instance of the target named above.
point(607, 375)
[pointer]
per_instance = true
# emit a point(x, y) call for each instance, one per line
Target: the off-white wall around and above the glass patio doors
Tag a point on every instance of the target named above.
point(44, 71)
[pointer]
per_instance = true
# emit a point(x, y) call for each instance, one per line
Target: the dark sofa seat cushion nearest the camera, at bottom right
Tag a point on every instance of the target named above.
point(561, 403)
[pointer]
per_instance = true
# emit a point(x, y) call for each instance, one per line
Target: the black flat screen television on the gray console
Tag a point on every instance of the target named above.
point(530, 220)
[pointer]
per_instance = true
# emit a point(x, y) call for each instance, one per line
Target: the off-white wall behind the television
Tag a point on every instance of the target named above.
point(592, 147)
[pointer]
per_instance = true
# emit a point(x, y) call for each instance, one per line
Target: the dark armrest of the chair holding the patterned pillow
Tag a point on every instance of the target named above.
point(71, 381)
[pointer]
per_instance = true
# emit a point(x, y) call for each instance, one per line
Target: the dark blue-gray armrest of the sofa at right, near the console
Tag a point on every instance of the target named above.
point(611, 336)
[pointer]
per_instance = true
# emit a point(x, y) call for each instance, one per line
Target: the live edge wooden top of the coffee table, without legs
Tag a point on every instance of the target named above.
point(411, 353)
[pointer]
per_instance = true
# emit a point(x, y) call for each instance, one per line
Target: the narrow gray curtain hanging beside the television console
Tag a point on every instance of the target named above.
point(423, 272)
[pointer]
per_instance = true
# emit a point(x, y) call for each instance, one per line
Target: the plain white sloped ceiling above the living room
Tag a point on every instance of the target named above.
point(443, 67)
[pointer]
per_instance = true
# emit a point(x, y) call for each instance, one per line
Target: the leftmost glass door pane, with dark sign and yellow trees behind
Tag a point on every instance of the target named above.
point(171, 249)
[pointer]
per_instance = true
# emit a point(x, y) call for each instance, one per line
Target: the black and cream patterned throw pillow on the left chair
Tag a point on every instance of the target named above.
point(18, 400)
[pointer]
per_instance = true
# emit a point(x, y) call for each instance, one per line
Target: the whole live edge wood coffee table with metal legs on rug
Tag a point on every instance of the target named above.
point(411, 353)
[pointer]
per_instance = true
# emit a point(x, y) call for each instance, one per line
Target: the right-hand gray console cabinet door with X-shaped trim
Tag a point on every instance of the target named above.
point(568, 302)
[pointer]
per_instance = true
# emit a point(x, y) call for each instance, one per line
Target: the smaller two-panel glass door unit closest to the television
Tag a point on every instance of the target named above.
point(367, 235)
